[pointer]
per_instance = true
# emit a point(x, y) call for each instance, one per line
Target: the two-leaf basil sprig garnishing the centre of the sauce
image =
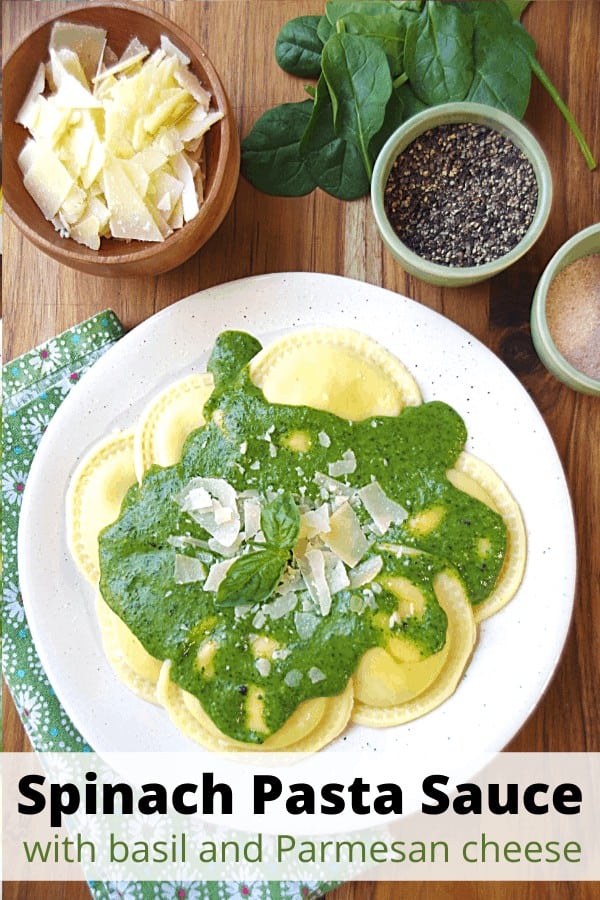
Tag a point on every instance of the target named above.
point(253, 577)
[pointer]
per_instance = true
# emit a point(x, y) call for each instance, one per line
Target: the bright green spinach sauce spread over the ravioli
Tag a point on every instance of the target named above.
point(246, 441)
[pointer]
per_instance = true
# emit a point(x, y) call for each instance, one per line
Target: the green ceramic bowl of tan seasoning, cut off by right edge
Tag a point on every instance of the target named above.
point(584, 243)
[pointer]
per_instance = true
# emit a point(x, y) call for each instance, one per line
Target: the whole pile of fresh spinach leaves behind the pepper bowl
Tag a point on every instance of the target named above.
point(378, 62)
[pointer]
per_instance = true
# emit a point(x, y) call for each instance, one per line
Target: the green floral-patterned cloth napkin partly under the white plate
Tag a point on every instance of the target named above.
point(34, 385)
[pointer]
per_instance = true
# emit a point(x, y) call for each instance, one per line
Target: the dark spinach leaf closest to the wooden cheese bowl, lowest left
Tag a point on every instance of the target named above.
point(271, 159)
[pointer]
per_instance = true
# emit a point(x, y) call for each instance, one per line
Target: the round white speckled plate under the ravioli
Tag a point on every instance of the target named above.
point(517, 649)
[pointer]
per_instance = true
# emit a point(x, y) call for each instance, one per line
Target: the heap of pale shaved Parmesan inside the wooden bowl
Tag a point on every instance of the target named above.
point(130, 130)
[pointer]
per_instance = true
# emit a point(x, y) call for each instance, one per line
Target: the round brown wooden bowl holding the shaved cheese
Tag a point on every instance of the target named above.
point(117, 257)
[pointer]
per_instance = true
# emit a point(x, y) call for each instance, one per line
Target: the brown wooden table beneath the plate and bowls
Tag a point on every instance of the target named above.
point(317, 233)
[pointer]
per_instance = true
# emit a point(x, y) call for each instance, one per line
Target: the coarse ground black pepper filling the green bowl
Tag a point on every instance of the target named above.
point(461, 195)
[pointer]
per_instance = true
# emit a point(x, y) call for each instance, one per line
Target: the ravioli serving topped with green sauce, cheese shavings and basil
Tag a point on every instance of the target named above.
point(401, 539)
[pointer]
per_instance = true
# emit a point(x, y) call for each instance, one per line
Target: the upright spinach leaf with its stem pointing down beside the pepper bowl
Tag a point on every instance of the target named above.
point(360, 84)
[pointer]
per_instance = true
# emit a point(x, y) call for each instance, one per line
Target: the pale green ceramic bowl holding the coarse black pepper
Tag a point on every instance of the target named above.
point(455, 113)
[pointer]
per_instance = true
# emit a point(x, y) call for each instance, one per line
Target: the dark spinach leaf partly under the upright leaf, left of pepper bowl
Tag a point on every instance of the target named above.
point(335, 164)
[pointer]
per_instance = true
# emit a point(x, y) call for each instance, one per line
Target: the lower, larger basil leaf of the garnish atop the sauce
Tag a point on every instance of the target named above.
point(252, 578)
